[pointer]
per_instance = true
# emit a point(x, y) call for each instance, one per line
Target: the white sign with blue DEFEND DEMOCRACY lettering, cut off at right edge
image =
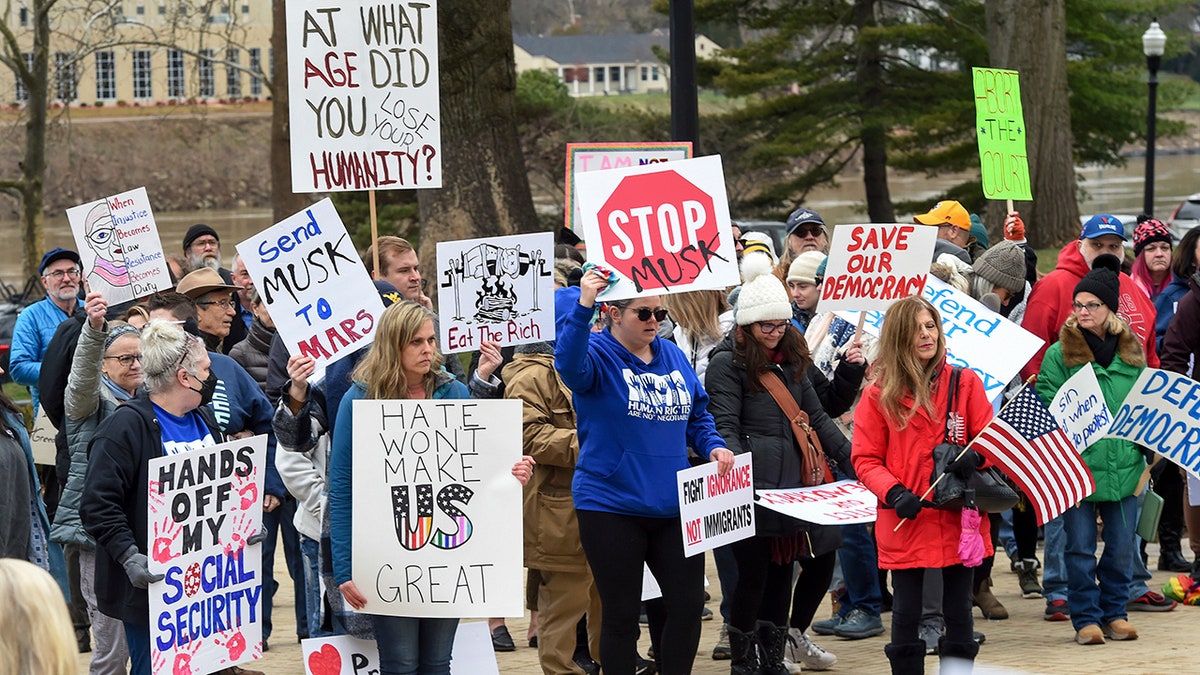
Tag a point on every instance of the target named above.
point(1162, 413)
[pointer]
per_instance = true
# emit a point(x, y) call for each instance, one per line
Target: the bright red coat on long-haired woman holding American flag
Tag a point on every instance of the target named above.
point(885, 457)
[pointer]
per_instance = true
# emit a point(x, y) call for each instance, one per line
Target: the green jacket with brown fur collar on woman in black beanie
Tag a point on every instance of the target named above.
point(1115, 464)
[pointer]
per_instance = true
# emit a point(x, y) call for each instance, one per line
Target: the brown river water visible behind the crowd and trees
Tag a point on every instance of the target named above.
point(1105, 190)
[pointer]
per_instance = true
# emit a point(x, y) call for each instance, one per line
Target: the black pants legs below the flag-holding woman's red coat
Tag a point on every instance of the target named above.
point(907, 604)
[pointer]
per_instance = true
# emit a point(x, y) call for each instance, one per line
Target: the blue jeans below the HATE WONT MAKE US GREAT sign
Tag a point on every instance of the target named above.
point(415, 647)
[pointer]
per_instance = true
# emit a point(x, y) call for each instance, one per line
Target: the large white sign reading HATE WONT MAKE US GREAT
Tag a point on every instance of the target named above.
point(437, 516)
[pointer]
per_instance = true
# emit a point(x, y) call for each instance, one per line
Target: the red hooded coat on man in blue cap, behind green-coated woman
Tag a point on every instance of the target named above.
point(1051, 306)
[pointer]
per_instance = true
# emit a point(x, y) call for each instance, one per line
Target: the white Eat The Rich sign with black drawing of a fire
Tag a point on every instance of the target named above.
point(500, 290)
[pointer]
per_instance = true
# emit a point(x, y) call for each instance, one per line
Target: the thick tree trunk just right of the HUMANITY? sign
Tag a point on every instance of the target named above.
point(485, 189)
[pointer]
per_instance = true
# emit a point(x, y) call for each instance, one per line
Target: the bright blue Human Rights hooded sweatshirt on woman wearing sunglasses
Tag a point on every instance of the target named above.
point(635, 420)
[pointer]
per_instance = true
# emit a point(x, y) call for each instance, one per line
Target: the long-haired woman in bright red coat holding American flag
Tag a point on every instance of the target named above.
point(902, 417)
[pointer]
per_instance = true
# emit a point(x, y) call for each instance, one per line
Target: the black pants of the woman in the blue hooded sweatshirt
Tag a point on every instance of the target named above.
point(617, 547)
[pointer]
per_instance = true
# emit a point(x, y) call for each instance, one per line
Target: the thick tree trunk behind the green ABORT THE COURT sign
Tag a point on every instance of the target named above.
point(1030, 37)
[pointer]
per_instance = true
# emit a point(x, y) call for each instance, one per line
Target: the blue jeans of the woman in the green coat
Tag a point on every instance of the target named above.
point(1099, 593)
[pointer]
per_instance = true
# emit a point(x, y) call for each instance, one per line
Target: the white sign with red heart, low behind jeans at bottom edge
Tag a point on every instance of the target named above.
point(343, 655)
